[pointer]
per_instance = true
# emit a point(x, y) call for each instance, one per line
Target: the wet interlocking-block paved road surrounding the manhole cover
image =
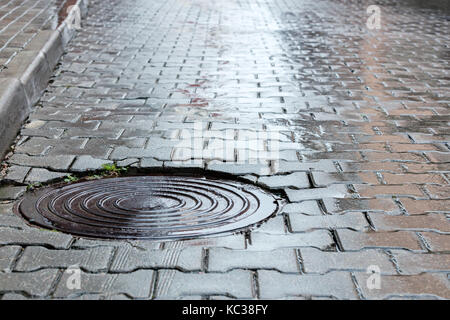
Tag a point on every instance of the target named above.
point(362, 123)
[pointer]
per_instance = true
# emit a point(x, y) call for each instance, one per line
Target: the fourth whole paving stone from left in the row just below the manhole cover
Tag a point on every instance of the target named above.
point(316, 261)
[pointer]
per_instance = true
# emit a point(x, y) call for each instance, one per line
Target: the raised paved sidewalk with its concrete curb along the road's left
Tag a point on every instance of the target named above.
point(33, 35)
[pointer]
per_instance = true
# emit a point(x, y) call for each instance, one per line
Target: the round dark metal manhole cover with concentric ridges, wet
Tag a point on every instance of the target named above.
point(148, 207)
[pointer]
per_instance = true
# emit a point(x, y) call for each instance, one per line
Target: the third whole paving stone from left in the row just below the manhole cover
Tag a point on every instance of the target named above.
point(223, 260)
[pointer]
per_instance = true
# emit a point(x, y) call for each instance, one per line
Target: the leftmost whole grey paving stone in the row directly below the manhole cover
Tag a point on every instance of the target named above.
point(94, 260)
